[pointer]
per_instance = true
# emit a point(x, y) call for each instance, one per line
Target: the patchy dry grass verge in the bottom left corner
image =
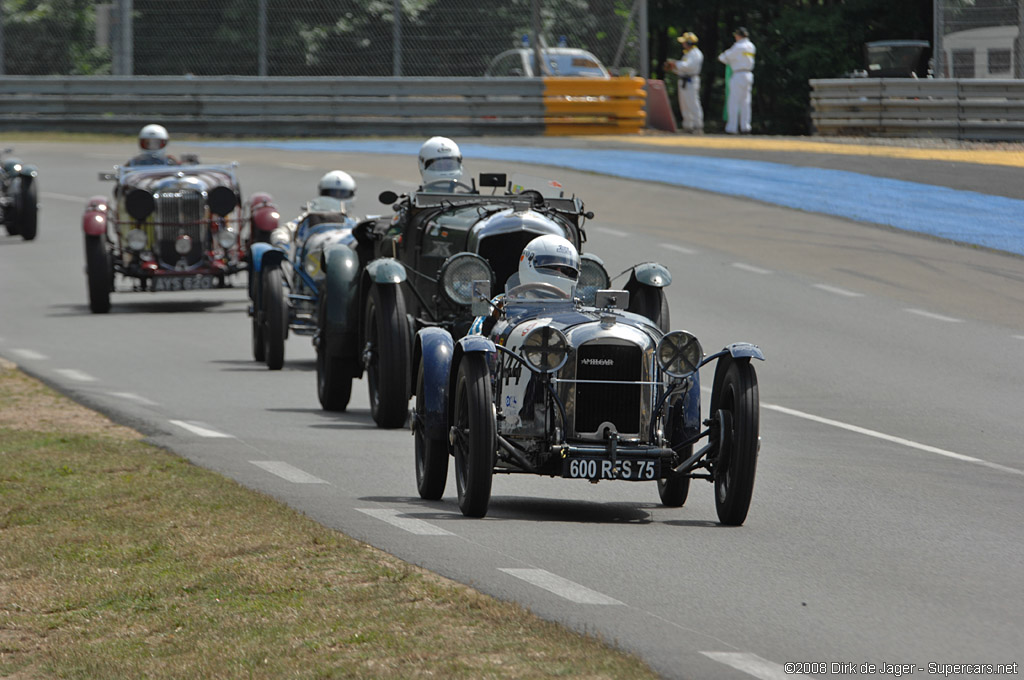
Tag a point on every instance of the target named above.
point(122, 561)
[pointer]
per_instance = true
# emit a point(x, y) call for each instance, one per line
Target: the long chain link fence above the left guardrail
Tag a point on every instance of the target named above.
point(441, 38)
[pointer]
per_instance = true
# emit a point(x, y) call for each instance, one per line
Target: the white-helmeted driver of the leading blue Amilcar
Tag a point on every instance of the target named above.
point(549, 260)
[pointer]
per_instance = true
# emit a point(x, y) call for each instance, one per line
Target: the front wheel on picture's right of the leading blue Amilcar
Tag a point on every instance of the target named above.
point(738, 458)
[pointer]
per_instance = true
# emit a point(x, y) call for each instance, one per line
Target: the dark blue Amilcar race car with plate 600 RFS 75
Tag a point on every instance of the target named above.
point(565, 390)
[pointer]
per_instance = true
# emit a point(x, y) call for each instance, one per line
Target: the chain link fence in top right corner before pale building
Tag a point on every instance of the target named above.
point(979, 39)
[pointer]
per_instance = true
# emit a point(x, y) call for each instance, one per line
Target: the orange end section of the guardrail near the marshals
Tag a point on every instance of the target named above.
point(594, 106)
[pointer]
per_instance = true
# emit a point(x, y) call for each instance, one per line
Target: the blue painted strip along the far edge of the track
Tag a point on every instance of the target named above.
point(970, 218)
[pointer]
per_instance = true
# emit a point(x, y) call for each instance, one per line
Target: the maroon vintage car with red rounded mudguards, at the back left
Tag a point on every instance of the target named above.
point(173, 228)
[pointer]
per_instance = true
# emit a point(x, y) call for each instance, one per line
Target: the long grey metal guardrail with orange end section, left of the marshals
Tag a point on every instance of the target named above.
point(308, 107)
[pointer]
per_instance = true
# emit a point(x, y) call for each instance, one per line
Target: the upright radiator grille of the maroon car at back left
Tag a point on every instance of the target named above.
point(181, 214)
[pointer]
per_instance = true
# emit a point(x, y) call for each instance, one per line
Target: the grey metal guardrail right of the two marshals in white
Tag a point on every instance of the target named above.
point(961, 109)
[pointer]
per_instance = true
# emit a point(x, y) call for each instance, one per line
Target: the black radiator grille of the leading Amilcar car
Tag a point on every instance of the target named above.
point(618, 404)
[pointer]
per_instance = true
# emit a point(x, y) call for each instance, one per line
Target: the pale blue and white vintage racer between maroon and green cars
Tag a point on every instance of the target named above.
point(287, 276)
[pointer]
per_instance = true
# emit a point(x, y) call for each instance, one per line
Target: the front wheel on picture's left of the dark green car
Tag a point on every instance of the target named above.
point(387, 356)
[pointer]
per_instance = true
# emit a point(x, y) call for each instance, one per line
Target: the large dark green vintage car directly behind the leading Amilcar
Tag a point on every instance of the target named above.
point(409, 273)
